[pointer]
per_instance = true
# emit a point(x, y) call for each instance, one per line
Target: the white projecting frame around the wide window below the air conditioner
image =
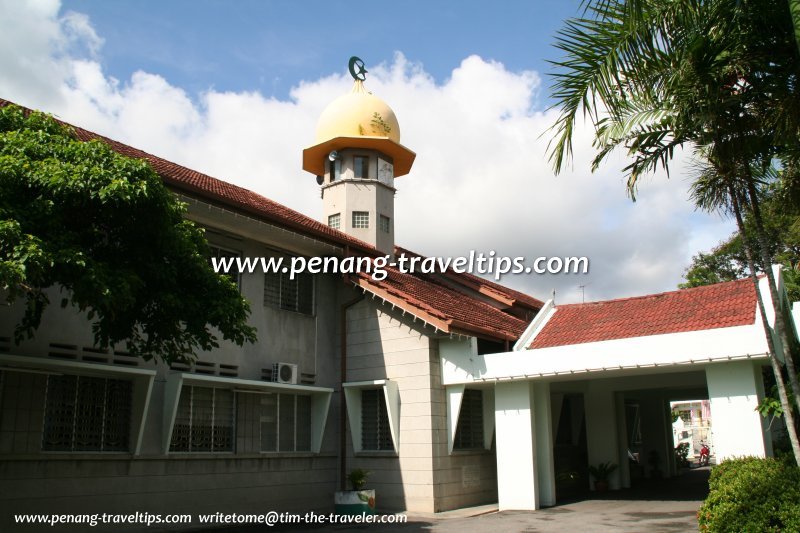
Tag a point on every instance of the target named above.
point(320, 399)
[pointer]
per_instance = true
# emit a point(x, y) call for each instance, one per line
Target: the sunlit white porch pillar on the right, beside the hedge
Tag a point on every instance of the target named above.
point(733, 392)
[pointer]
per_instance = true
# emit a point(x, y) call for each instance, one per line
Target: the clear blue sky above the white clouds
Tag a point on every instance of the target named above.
point(270, 46)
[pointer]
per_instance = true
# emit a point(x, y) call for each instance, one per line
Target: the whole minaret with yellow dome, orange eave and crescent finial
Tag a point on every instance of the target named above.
point(356, 158)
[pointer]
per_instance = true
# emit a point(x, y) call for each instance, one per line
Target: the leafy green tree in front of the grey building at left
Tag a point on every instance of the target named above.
point(102, 233)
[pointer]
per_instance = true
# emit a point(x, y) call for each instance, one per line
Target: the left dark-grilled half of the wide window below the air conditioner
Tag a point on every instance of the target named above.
point(204, 420)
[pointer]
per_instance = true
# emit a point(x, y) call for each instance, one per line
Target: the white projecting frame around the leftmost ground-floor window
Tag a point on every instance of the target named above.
point(142, 379)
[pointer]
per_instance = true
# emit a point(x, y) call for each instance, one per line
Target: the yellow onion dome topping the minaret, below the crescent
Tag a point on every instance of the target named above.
point(358, 114)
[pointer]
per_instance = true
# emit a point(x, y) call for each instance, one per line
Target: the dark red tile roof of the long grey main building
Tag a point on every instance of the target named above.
point(449, 309)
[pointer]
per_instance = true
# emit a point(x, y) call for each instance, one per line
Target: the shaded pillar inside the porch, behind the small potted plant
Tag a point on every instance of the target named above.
point(601, 429)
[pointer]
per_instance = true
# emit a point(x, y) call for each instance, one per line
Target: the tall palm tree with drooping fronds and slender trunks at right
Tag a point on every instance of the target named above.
point(653, 76)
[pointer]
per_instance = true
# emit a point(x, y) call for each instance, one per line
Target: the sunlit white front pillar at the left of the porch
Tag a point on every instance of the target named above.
point(516, 446)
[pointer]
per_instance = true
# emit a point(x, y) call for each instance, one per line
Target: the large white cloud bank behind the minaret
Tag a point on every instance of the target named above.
point(481, 180)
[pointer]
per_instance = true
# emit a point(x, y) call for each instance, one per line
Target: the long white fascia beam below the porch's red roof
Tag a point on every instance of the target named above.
point(685, 348)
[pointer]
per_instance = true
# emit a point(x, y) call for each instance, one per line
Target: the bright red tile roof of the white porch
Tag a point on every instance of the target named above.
point(714, 306)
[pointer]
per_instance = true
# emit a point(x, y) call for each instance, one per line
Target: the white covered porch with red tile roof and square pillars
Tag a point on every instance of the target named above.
point(598, 378)
